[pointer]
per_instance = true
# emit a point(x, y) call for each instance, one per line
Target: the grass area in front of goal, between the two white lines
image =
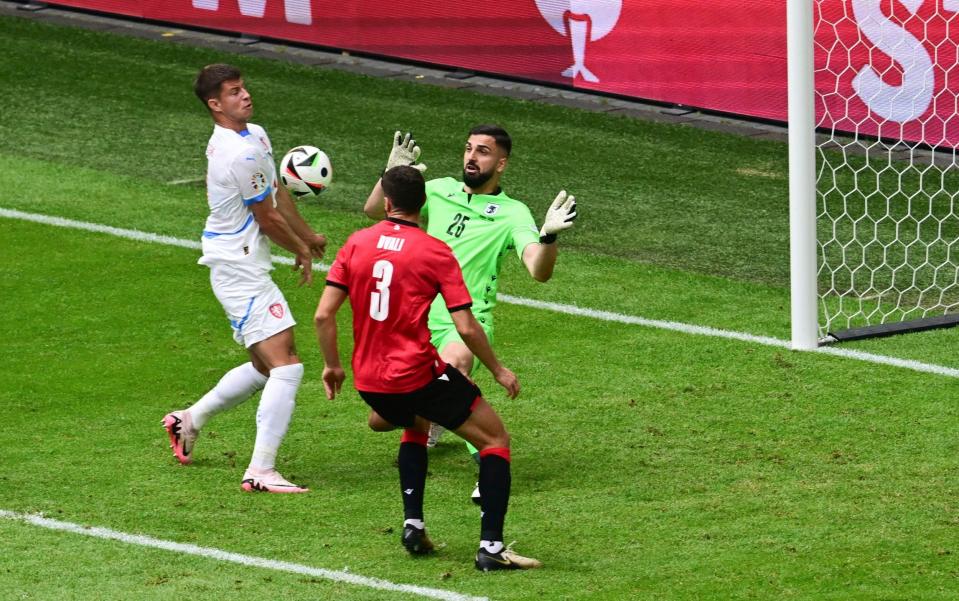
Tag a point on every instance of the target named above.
point(648, 464)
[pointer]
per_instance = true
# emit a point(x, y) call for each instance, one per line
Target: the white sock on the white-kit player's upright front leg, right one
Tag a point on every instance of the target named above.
point(274, 413)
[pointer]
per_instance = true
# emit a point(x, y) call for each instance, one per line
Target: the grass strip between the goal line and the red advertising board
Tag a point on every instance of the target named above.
point(676, 223)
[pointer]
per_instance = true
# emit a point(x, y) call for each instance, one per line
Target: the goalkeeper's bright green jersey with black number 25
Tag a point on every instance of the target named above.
point(481, 229)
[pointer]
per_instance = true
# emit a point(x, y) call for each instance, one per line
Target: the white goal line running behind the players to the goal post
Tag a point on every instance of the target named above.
point(674, 326)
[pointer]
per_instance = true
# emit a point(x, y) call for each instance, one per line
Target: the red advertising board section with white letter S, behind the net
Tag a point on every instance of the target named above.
point(889, 68)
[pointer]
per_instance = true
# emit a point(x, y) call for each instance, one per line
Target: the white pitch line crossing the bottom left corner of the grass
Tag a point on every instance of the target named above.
point(247, 560)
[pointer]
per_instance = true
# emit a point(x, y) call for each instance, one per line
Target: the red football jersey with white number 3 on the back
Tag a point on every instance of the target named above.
point(392, 272)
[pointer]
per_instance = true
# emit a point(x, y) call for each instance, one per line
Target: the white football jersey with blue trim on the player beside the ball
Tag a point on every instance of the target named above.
point(240, 173)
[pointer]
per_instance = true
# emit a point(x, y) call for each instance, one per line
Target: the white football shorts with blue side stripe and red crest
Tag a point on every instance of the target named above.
point(253, 303)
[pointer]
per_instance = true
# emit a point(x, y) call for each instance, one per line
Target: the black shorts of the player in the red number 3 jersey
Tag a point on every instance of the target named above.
point(447, 400)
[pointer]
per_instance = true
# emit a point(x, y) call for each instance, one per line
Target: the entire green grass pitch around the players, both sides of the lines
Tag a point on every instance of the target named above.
point(648, 464)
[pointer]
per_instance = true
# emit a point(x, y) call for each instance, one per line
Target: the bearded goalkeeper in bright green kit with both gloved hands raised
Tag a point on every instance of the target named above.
point(482, 225)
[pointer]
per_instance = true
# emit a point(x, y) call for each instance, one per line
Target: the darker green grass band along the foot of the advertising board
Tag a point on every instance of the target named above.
point(664, 194)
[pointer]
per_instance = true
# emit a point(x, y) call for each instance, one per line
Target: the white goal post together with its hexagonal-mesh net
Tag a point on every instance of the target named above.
point(873, 172)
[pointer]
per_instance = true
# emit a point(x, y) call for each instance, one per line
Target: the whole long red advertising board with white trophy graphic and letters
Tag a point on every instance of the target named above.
point(883, 67)
